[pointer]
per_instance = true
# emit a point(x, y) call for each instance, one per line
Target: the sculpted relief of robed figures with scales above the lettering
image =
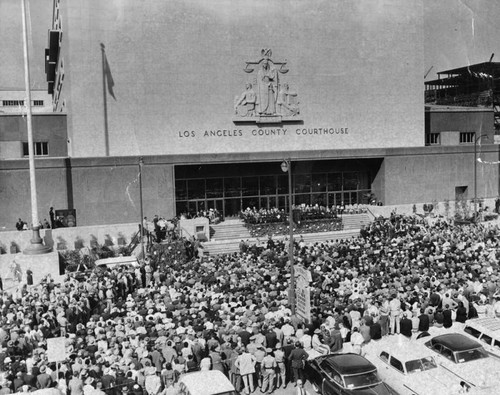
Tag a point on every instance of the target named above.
point(267, 98)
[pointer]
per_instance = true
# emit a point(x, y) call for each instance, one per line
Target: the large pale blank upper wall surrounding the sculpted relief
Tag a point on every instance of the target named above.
point(176, 76)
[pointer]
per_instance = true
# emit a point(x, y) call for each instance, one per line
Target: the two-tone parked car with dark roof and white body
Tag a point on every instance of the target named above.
point(467, 359)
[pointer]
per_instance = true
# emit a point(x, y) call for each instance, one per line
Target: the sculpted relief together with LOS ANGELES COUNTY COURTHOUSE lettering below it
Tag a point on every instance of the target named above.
point(268, 99)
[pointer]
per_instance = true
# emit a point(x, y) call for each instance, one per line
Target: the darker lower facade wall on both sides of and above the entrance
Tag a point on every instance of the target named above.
point(106, 190)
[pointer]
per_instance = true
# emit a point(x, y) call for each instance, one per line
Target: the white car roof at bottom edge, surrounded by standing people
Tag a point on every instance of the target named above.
point(206, 382)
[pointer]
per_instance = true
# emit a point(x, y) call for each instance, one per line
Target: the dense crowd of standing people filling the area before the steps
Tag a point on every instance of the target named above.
point(136, 330)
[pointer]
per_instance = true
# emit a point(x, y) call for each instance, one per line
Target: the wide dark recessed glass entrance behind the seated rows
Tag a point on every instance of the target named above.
point(231, 188)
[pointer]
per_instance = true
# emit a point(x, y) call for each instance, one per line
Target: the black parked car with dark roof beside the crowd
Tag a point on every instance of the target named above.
point(345, 374)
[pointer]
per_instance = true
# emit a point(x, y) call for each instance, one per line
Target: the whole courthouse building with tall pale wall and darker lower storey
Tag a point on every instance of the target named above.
point(214, 95)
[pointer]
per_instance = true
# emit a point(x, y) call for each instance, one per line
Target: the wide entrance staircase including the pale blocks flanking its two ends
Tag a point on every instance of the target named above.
point(226, 236)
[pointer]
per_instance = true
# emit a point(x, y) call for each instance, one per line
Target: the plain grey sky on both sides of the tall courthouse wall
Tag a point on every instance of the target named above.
point(456, 33)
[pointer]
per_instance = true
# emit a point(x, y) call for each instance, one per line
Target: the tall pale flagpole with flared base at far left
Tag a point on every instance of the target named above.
point(37, 246)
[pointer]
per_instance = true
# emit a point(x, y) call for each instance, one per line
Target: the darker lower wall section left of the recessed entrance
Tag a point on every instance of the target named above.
point(102, 192)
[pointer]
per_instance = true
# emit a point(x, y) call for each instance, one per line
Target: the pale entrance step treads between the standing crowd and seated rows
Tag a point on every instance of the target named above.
point(232, 245)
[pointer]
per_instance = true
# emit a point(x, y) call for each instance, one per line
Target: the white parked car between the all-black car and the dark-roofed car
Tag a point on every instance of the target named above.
point(410, 368)
